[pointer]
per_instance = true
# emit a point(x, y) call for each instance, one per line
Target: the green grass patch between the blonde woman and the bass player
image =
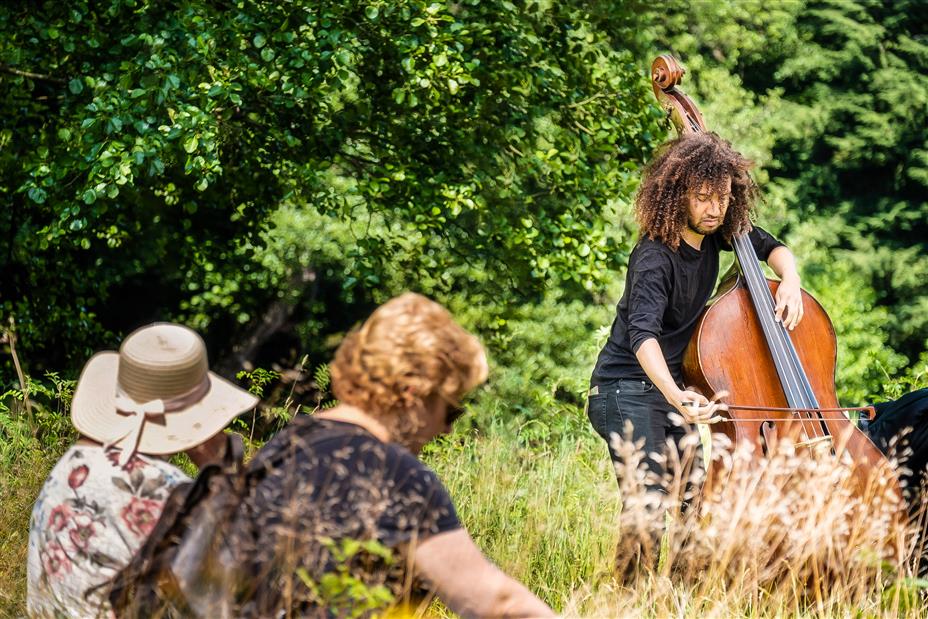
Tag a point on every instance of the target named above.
point(547, 514)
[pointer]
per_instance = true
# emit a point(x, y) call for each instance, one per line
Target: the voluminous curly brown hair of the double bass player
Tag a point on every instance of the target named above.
point(683, 165)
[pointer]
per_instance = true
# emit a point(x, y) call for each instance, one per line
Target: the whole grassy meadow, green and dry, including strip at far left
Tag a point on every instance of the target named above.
point(787, 541)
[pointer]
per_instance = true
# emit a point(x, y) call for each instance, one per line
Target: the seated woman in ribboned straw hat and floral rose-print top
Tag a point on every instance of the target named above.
point(155, 397)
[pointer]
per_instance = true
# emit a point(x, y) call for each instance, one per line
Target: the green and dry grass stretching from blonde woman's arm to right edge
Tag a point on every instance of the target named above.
point(788, 535)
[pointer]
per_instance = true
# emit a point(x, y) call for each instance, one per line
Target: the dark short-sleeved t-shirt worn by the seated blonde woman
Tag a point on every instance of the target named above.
point(329, 485)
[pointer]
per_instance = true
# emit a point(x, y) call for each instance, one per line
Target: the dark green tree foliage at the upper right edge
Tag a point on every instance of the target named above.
point(864, 154)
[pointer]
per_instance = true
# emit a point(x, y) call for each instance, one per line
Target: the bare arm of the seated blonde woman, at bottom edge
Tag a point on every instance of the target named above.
point(469, 583)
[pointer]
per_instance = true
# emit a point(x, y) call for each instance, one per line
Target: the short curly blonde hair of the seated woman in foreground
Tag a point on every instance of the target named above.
point(408, 349)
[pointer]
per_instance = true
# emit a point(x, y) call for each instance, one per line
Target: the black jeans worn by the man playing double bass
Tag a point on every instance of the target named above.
point(652, 419)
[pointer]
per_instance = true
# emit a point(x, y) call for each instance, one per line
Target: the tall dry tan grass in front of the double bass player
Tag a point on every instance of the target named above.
point(795, 532)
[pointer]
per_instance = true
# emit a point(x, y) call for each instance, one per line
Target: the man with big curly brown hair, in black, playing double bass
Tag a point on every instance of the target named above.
point(695, 196)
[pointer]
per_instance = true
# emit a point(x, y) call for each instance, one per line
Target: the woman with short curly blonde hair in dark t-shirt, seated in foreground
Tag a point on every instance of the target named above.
point(343, 498)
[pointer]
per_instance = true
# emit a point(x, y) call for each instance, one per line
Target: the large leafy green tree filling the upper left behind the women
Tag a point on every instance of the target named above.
point(146, 140)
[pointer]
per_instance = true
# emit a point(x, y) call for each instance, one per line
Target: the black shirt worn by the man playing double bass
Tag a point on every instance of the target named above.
point(665, 293)
